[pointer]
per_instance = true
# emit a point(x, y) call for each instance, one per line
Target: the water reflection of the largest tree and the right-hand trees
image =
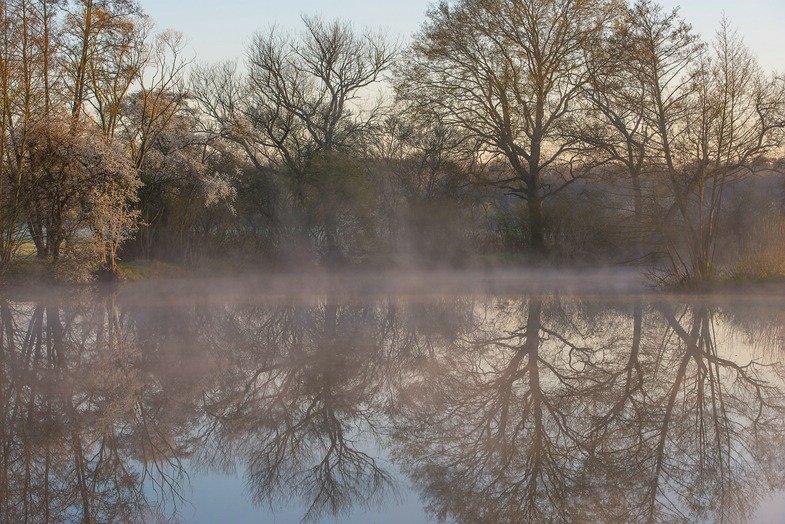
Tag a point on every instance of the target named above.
point(555, 412)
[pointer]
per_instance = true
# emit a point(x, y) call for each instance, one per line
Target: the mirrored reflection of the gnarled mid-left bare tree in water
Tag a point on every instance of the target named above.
point(303, 390)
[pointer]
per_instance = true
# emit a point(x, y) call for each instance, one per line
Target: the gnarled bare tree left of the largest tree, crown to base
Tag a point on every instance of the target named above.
point(304, 113)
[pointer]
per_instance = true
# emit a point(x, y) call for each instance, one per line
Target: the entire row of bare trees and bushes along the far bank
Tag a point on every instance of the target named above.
point(556, 130)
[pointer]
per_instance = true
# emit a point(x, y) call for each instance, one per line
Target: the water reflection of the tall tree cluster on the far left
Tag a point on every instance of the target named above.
point(84, 428)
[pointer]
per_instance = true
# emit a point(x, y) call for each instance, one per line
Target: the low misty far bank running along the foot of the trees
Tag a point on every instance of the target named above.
point(500, 277)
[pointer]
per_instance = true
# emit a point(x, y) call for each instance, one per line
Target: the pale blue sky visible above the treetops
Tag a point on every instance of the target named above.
point(218, 30)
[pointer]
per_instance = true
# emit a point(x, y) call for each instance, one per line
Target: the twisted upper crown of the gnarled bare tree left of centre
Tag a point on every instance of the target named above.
point(308, 93)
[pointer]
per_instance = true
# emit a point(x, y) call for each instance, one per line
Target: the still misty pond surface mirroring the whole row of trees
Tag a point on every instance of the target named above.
point(492, 409)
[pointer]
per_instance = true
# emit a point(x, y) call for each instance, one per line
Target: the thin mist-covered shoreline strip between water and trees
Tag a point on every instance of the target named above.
point(168, 281)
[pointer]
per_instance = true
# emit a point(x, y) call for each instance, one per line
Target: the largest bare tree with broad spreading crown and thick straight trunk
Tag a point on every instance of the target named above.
point(511, 73)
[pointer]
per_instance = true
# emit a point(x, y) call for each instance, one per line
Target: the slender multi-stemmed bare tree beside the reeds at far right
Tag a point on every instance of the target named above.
point(714, 115)
